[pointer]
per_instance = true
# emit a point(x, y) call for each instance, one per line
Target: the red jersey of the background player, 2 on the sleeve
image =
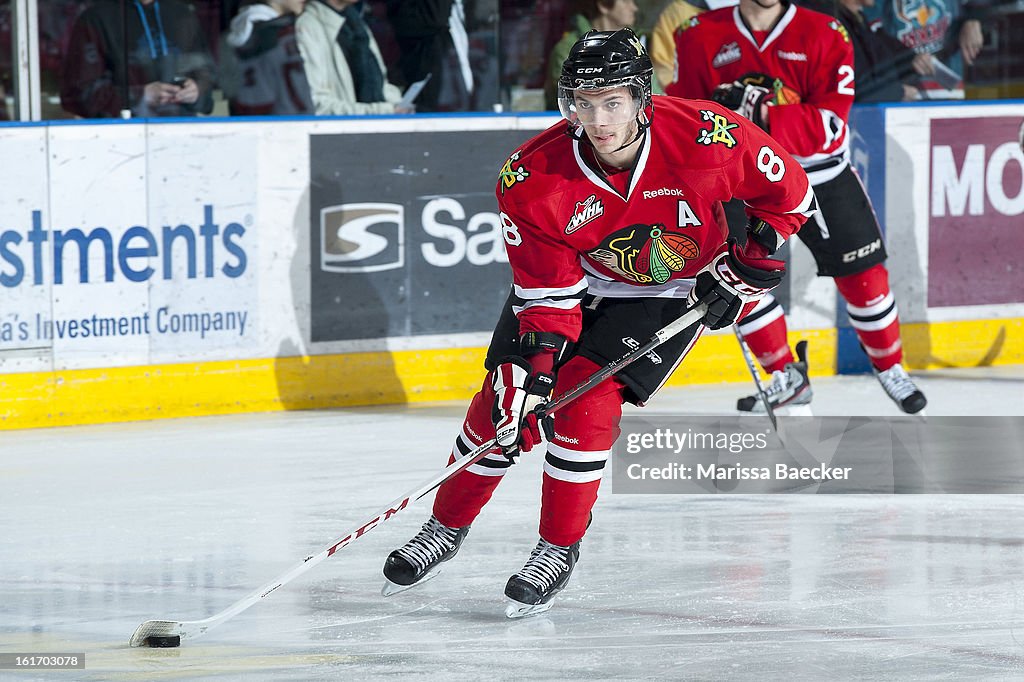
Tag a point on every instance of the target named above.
point(808, 59)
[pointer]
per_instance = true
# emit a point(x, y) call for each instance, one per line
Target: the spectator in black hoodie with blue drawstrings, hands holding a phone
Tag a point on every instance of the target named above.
point(165, 69)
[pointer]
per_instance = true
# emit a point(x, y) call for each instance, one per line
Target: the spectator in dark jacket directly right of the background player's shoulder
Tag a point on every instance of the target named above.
point(886, 69)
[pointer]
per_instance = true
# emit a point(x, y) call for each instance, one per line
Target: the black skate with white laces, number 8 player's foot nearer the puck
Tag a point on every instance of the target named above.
point(420, 559)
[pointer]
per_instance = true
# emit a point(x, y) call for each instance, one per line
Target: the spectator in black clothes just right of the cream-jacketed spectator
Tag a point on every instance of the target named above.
point(433, 39)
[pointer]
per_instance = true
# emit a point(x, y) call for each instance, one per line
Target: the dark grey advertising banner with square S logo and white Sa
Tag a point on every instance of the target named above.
point(414, 247)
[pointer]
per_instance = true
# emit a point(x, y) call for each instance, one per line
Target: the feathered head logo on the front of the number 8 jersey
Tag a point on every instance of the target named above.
point(647, 254)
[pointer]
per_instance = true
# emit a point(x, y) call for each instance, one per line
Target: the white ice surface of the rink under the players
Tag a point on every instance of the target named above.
point(104, 528)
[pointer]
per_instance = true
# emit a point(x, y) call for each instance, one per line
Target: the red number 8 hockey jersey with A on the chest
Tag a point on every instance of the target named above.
point(570, 231)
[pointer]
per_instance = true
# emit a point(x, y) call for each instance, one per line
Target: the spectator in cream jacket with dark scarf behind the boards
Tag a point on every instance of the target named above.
point(344, 63)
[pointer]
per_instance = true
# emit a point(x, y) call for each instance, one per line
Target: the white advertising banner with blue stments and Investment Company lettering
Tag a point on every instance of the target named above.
point(144, 255)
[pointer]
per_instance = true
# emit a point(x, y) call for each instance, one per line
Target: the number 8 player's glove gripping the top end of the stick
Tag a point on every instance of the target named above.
point(732, 281)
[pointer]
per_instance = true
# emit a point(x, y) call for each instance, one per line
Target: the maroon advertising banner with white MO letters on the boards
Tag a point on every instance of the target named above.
point(975, 212)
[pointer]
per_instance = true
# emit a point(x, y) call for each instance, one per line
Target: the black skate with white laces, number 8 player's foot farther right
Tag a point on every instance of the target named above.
point(544, 575)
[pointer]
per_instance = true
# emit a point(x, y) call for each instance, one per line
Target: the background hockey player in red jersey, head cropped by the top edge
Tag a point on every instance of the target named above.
point(790, 70)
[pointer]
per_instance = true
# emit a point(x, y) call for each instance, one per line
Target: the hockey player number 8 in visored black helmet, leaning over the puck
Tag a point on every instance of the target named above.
point(614, 228)
